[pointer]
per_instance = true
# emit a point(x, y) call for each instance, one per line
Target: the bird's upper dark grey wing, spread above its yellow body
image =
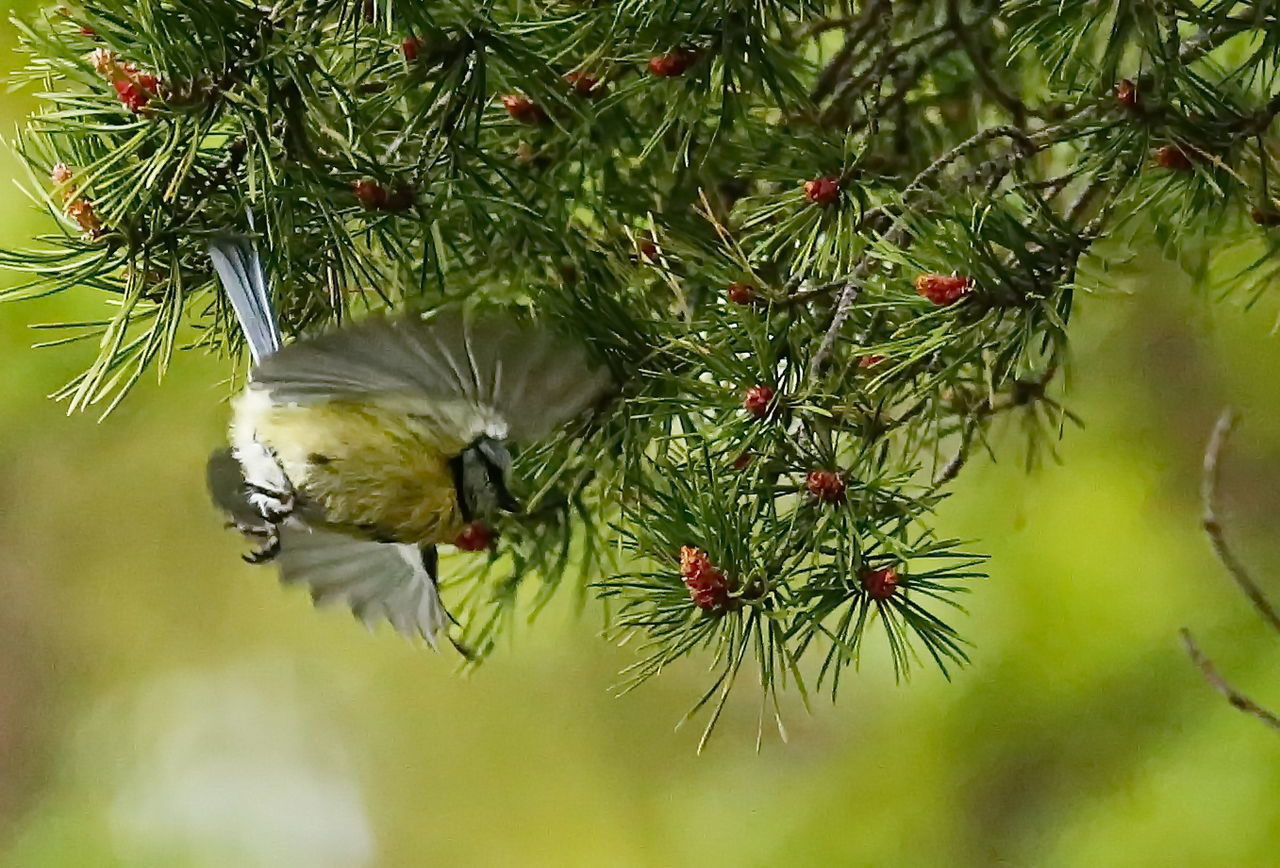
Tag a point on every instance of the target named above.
point(527, 377)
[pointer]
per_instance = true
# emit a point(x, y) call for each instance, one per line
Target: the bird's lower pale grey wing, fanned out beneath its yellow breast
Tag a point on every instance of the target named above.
point(378, 582)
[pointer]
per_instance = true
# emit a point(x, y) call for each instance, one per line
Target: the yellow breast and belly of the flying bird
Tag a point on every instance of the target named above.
point(374, 470)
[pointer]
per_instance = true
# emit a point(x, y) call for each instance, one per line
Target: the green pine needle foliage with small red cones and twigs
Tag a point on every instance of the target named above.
point(883, 212)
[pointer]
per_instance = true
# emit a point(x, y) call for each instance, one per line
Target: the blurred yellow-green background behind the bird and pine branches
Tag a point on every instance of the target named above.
point(164, 705)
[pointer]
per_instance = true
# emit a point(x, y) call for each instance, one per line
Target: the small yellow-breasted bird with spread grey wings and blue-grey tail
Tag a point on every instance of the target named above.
point(356, 453)
